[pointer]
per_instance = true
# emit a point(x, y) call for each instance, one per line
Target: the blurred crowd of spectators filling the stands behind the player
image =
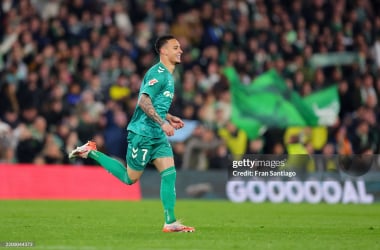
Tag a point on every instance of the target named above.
point(70, 71)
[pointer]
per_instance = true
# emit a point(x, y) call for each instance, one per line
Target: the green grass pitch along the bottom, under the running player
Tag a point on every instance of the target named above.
point(220, 225)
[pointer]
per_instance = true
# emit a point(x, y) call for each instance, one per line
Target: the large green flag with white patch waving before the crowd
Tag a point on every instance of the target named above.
point(268, 102)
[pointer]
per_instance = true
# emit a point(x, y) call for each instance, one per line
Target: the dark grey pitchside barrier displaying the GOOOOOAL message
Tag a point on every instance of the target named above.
point(304, 187)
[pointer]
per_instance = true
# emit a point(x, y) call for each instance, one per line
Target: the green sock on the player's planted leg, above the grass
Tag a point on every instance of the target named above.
point(167, 193)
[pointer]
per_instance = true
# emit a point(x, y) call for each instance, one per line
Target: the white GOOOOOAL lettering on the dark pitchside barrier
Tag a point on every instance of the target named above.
point(299, 191)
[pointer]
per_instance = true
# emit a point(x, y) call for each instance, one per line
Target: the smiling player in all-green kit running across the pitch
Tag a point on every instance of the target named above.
point(148, 128)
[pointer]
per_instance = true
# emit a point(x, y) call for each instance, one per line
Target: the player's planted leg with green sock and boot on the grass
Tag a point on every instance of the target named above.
point(164, 162)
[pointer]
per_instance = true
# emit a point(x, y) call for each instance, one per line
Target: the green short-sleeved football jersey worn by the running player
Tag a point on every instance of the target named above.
point(158, 83)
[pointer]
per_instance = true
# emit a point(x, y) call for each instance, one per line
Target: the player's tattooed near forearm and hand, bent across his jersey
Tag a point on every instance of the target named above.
point(146, 105)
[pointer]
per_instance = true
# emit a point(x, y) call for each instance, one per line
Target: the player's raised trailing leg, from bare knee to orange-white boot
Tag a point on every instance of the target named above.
point(115, 167)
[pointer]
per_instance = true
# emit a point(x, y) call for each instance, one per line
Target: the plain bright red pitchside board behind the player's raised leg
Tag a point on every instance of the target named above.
point(21, 181)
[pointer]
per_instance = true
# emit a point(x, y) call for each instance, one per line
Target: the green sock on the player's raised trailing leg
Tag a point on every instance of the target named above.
point(113, 166)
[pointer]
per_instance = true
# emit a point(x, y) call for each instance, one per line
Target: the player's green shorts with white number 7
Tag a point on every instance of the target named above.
point(142, 150)
